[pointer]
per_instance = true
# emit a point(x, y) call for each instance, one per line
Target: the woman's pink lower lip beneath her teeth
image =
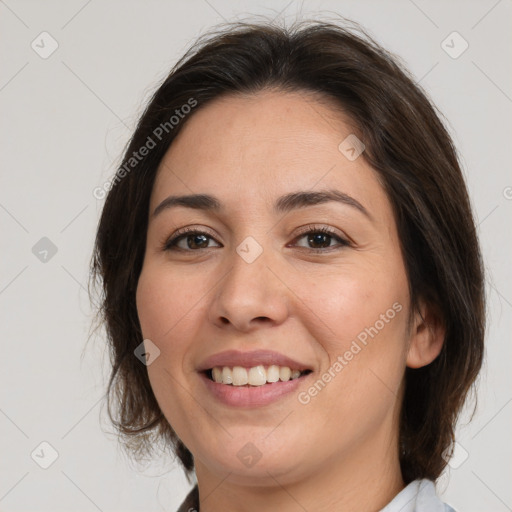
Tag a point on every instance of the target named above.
point(252, 396)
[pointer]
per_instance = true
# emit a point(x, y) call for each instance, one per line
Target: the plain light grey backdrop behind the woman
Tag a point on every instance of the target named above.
point(65, 117)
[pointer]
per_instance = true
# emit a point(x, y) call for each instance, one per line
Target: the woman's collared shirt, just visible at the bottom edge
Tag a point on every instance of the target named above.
point(418, 496)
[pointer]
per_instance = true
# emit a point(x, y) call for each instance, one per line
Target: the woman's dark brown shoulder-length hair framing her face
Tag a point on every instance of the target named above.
point(407, 145)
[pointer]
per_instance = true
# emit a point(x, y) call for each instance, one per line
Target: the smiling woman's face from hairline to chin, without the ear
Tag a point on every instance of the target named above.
point(299, 259)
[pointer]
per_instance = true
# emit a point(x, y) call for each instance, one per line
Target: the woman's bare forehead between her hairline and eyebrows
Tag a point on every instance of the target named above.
point(247, 149)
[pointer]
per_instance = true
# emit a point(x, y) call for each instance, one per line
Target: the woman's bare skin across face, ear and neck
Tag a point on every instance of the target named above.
point(340, 449)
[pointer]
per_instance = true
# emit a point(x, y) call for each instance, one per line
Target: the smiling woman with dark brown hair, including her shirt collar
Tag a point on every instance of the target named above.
point(293, 288)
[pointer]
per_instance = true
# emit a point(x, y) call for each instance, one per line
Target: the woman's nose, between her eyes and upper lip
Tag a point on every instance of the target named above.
point(250, 296)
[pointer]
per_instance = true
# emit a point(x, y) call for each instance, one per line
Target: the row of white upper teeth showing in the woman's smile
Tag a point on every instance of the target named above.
point(255, 376)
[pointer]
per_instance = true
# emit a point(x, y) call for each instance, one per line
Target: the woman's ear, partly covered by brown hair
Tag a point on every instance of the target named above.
point(427, 336)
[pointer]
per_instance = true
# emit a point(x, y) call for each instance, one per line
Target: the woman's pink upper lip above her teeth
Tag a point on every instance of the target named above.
point(250, 359)
